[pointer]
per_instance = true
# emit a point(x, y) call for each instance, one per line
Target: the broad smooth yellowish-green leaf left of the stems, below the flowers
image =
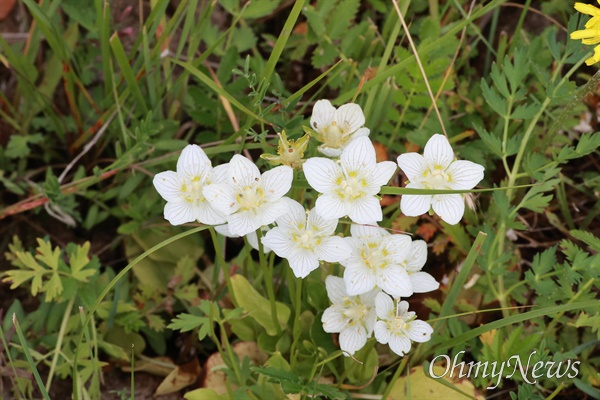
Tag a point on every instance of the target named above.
point(257, 306)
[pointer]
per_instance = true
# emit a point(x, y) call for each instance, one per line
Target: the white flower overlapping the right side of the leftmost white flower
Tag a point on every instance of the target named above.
point(248, 199)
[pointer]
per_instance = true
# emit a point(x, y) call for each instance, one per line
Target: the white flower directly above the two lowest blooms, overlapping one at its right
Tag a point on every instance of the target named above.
point(376, 260)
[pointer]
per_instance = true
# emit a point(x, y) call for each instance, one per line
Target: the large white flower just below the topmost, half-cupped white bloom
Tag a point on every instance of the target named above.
point(350, 187)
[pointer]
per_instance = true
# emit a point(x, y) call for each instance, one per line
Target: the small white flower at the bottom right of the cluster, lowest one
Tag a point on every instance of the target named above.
point(399, 327)
